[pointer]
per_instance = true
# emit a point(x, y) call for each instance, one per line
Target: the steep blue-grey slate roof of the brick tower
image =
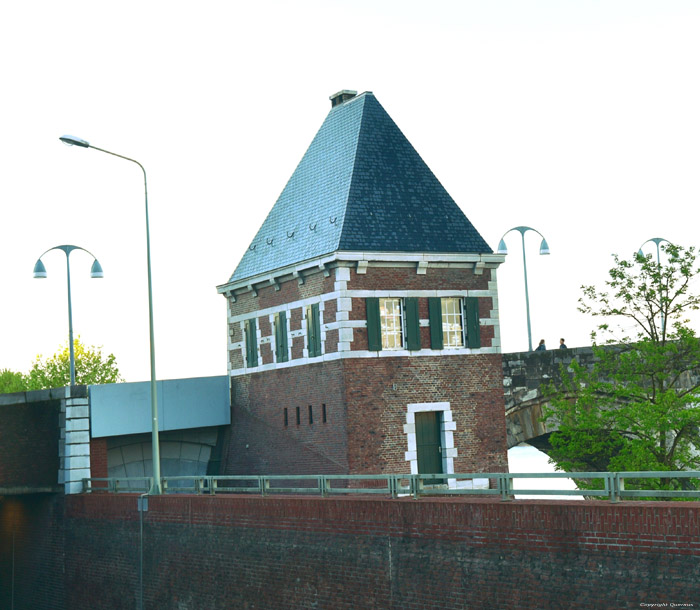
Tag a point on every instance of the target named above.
point(360, 186)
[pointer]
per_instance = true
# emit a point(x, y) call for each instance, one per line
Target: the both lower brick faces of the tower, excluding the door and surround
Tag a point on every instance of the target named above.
point(366, 405)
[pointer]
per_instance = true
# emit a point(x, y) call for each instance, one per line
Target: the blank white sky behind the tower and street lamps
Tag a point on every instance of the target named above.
point(580, 119)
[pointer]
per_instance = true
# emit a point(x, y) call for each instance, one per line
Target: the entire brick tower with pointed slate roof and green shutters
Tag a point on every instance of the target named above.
point(363, 318)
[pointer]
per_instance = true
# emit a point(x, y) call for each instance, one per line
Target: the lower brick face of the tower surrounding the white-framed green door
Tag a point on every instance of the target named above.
point(378, 390)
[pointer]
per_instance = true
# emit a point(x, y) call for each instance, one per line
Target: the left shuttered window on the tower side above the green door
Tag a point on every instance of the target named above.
point(392, 323)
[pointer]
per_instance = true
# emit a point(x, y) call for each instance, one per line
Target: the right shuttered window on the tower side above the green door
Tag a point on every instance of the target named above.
point(449, 318)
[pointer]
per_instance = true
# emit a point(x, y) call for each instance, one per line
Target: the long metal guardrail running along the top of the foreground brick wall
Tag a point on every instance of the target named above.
point(397, 485)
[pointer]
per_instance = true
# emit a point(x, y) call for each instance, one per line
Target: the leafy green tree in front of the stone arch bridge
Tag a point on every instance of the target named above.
point(638, 408)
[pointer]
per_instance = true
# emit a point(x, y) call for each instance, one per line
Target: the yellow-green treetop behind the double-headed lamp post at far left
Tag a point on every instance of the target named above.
point(91, 368)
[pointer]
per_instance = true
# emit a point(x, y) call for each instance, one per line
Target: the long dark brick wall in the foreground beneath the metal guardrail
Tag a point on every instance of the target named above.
point(352, 553)
